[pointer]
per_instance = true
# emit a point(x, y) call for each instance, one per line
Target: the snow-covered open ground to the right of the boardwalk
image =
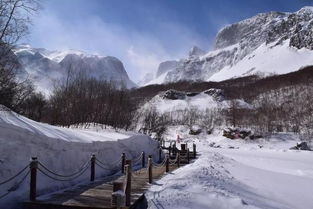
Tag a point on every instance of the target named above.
point(238, 174)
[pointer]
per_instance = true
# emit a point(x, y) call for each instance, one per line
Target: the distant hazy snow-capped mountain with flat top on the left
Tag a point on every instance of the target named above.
point(44, 67)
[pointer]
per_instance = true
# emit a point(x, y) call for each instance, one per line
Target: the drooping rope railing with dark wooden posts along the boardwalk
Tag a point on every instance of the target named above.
point(91, 164)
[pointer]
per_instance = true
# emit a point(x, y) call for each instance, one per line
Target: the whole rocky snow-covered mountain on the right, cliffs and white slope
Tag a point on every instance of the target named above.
point(268, 43)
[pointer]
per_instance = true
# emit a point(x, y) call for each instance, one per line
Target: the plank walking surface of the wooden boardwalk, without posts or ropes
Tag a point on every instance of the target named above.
point(98, 194)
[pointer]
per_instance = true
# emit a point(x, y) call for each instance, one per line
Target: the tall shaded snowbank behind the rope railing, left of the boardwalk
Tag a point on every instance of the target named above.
point(62, 150)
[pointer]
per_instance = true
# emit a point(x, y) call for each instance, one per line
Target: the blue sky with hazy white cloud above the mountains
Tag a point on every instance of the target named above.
point(142, 33)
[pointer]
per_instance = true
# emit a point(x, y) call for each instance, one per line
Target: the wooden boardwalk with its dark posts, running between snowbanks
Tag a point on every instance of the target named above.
point(98, 193)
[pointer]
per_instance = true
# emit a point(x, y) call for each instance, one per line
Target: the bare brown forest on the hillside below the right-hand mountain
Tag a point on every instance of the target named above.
point(277, 103)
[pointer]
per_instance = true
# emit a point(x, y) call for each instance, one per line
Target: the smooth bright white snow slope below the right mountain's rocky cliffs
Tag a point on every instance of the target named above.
point(267, 60)
